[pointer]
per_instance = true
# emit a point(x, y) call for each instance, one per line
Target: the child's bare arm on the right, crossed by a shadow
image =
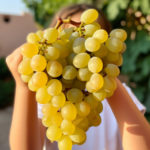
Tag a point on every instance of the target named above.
point(134, 129)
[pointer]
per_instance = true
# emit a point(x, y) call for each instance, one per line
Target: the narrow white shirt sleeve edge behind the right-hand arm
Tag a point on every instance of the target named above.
point(140, 106)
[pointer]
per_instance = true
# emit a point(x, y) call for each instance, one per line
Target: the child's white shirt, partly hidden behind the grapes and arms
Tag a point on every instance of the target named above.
point(104, 137)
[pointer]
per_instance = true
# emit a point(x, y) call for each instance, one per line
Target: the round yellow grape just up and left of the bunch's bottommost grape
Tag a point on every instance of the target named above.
point(53, 133)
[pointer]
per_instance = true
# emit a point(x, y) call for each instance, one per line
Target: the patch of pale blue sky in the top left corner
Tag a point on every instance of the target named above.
point(12, 6)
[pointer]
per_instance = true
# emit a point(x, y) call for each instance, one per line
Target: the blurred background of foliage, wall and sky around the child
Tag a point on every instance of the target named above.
point(20, 17)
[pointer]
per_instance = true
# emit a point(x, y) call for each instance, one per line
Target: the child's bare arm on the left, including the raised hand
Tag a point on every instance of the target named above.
point(24, 131)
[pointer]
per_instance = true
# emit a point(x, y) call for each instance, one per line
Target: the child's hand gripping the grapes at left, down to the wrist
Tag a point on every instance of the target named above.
point(13, 60)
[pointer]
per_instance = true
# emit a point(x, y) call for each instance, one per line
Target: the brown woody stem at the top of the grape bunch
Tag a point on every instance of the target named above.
point(66, 21)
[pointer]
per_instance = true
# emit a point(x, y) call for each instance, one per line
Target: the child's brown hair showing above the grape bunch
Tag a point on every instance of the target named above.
point(74, 9)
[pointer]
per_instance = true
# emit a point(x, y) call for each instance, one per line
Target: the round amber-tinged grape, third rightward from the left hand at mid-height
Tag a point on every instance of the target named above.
point(54, 68)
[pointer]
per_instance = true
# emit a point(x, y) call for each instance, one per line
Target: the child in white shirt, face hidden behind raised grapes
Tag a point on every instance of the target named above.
point(125, 128)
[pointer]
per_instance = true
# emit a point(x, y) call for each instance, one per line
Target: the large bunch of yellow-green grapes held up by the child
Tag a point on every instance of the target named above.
point(72, 71)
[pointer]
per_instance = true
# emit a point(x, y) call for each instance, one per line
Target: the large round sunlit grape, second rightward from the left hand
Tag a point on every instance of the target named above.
point(38, 63)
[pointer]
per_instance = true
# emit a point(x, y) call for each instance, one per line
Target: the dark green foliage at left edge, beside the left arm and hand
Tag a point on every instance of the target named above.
point(6, 85)
